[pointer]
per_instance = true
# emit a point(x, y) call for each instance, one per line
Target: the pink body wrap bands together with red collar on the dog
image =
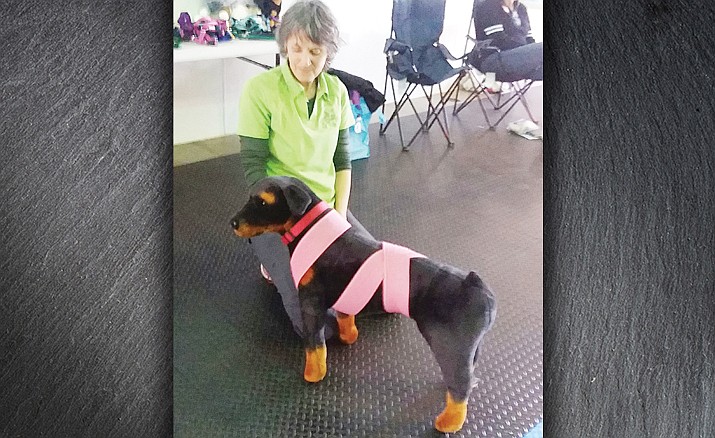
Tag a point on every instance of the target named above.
point(389, 265)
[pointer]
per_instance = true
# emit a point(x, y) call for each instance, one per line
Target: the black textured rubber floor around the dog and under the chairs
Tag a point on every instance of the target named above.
point(237, 363)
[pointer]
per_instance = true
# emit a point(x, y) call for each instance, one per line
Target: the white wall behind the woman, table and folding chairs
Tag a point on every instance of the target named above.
point(203, 89)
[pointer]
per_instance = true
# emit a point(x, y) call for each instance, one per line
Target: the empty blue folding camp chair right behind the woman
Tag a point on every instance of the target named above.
point(414, 54)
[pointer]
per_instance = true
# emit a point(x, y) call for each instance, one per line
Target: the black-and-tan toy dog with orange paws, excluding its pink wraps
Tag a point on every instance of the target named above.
point(453, 309)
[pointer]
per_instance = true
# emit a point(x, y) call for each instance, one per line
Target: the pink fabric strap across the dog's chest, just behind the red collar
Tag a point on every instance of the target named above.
point(315, 241)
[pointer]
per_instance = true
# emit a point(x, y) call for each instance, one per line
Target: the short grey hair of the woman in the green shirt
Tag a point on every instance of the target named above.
point(315, 20)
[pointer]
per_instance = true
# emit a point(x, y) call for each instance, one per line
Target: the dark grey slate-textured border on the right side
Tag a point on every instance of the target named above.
point(629, 214)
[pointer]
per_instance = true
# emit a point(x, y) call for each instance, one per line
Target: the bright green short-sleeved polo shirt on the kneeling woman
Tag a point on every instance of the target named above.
point(273, 106)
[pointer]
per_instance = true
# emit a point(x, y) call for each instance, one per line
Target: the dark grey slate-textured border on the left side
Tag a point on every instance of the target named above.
point(86, 270)
